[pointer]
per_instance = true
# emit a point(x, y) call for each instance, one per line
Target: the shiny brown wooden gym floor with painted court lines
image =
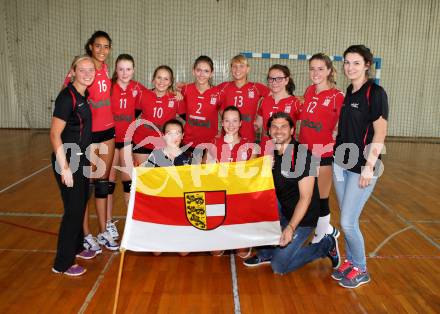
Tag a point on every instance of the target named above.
point(401, 225)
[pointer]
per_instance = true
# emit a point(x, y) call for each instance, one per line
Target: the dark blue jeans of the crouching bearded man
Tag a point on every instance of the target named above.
point(295, 255)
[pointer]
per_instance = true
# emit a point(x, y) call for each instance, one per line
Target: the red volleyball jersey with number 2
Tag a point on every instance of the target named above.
point(201, 111)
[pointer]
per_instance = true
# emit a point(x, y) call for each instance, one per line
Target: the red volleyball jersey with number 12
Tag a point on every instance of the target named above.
point(319, 116)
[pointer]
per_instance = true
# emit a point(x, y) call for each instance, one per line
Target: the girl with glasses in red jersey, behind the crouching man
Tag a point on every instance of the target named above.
point(281, 98)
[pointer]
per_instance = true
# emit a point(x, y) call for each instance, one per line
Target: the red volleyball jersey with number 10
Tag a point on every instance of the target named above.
point(156, 110)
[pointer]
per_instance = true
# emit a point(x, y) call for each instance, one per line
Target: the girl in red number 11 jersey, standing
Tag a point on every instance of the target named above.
point(125, 95)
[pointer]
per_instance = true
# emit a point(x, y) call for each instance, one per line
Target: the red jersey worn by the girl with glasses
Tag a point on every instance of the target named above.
point(290, 105)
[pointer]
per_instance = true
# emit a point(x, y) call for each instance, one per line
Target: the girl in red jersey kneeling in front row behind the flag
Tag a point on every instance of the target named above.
point(231, 147)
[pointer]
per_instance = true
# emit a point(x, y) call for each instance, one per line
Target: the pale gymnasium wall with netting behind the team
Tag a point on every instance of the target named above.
point(39, 38)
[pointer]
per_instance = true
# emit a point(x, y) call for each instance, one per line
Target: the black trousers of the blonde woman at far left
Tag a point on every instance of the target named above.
point(71, 236)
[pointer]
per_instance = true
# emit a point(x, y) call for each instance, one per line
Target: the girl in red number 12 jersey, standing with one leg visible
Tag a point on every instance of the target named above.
point(319, 119)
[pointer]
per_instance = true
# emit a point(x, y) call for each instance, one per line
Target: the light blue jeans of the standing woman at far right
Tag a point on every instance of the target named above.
point(351, 200)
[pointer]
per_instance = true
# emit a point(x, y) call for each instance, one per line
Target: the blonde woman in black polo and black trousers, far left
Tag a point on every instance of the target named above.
point(72, 125)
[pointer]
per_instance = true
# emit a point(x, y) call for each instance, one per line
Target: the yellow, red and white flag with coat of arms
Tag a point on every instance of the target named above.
point(202, 207)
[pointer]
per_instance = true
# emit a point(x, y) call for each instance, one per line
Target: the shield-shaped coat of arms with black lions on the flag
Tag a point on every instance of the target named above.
point(205, 210)
